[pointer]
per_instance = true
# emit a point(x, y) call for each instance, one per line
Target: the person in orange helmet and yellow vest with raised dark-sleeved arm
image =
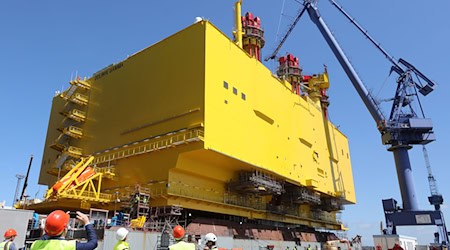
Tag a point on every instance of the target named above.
point(56, 230)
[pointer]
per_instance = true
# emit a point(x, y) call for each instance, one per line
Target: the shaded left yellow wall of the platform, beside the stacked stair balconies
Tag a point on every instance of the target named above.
point(157, 90)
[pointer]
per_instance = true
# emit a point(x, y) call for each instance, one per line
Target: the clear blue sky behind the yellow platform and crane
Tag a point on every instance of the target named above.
point(42, 43)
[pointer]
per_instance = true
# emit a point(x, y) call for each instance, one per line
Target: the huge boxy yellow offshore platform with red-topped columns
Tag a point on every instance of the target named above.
point(200, 123)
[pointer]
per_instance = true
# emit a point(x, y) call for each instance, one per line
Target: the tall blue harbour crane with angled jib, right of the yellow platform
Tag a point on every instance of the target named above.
point(403, 127)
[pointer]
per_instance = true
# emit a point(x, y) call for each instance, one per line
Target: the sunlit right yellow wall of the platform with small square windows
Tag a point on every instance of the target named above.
point(252, 116)
